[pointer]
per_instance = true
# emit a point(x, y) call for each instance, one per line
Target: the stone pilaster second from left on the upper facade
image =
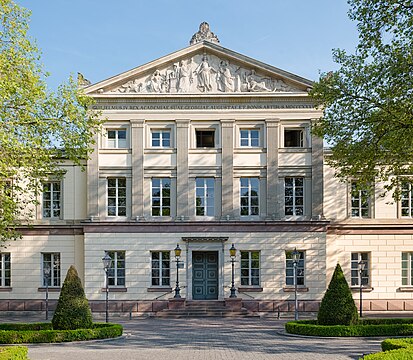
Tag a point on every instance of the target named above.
point(137, 146)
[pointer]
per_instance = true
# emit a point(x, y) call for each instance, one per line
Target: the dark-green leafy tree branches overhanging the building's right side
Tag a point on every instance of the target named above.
point(368, 102)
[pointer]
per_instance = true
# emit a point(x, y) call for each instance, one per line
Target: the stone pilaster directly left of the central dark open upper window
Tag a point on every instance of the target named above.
point(182, 169)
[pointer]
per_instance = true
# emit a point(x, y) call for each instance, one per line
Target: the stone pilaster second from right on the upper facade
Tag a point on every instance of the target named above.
point(274, 194)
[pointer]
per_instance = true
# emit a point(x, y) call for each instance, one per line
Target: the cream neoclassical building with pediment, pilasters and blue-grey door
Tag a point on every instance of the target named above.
point(206, 148)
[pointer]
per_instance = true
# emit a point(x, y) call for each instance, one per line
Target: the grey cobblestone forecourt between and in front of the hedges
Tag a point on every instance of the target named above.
point(209, 339)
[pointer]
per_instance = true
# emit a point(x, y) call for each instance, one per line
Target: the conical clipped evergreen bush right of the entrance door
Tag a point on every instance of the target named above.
point(337, 306)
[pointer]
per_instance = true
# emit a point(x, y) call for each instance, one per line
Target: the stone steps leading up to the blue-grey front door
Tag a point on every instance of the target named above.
point(203, 308)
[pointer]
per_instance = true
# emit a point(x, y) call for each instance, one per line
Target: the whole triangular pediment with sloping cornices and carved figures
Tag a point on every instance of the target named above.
point(202, 68)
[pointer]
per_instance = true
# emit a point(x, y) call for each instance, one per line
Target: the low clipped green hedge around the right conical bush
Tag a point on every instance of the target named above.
point(367, 327)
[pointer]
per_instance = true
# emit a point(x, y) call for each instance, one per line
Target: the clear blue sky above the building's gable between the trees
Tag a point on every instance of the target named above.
point(103, 38)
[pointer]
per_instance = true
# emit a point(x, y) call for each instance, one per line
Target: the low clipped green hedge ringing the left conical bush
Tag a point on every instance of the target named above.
point(43, 333)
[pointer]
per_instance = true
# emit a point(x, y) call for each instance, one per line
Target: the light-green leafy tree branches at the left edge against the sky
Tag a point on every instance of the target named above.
point(38, 127)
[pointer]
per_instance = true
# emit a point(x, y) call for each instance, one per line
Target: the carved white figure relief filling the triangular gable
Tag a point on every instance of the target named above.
point(206, 74)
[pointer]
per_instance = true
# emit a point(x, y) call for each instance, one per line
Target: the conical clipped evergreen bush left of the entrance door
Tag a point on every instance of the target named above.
point(72, 311)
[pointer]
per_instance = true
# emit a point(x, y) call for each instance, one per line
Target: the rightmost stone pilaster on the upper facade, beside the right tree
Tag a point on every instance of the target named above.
point(317, 157)
